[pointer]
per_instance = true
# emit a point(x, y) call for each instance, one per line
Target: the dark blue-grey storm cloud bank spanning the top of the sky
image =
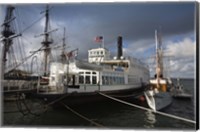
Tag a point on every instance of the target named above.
point(134, 21)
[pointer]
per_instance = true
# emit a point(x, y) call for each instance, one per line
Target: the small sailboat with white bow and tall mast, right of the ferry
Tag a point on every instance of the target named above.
point(157, 95)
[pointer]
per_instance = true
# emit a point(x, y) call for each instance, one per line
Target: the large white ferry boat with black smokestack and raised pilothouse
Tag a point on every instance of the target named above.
point(118, 76)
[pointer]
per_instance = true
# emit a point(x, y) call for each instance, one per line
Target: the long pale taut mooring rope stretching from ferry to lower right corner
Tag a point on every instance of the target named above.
point(143, 108)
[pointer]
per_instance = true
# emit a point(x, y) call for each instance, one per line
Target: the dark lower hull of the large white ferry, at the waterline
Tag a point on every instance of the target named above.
point(80, 98)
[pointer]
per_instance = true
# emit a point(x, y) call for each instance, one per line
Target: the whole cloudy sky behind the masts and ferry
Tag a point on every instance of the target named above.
point(136, 22)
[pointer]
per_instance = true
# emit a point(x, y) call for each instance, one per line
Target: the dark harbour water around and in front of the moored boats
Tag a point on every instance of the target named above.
point(108, 113)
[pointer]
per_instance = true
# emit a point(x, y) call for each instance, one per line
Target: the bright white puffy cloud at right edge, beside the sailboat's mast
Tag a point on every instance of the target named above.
point(182, 62)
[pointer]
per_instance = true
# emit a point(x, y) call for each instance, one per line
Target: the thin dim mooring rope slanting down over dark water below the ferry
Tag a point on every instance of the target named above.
point(81, 116)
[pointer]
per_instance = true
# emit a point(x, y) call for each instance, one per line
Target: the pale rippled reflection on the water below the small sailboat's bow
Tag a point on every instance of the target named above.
point(149, 119)
